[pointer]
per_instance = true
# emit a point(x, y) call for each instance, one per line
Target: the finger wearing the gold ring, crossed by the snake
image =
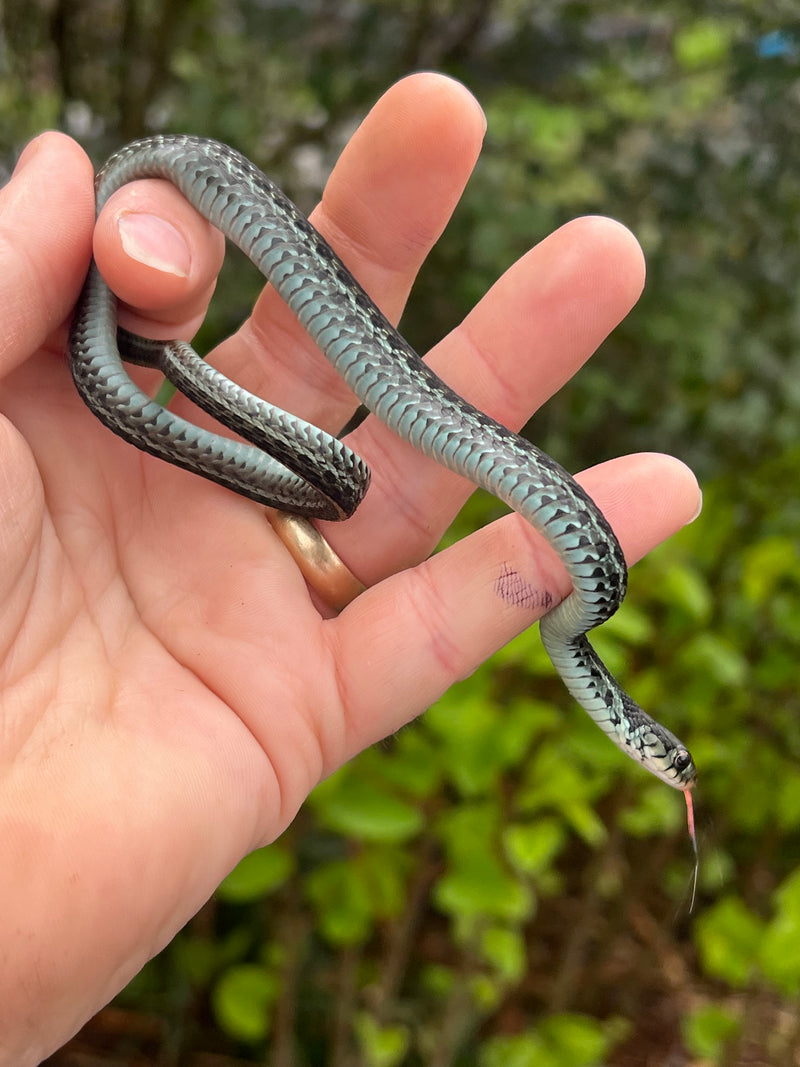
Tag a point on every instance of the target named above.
point(529, 336)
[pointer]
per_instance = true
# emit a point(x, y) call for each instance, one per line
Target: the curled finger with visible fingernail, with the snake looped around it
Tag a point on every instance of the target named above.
point(159, 257)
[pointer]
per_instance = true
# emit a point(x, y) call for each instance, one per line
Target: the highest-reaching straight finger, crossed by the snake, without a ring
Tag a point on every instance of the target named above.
point(386, 204)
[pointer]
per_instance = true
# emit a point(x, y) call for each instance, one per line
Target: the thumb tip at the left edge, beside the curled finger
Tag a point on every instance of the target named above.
point(46, 219)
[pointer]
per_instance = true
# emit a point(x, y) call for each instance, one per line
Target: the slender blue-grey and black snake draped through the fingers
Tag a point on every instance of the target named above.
point(284, 463)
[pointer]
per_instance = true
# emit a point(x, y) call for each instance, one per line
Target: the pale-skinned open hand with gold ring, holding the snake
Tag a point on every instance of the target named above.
point(158, 716)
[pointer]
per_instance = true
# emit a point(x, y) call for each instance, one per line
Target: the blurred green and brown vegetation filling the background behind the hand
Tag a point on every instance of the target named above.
point(497, 886)
